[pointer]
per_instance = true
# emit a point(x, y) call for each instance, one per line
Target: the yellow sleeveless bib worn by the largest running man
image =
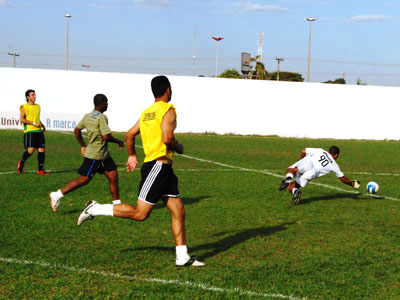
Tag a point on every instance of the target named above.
point(150, 130)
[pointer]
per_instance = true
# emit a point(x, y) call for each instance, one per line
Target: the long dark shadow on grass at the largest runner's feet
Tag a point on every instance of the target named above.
point(224, 244)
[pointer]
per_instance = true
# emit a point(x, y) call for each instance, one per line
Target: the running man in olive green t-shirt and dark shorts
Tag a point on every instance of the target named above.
point(97, 158)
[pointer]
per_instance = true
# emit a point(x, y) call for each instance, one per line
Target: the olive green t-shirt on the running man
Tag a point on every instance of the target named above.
point(96, 125)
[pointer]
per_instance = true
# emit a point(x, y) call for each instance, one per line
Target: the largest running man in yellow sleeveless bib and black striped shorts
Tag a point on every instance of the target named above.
point(156, 126)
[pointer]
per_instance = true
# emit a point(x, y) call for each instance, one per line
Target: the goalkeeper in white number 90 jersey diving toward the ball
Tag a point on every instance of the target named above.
point(315, 162)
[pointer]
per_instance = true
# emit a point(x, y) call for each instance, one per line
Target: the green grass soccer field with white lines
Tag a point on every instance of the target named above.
point(339, 243)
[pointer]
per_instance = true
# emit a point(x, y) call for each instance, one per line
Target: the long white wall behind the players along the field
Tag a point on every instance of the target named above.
point(213, 104)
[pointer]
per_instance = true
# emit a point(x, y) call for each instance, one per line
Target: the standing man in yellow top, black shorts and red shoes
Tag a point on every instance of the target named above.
point(33, 132)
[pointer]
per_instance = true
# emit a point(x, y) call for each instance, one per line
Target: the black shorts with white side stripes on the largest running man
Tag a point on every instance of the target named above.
point(158, 181)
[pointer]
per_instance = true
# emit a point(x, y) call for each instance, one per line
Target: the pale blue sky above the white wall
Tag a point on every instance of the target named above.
point(354, 39)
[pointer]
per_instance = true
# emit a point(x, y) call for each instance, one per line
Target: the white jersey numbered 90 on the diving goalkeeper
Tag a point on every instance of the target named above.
point(323, 163)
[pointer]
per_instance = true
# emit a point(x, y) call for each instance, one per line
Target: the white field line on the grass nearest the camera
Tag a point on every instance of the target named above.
point(201, 286)
